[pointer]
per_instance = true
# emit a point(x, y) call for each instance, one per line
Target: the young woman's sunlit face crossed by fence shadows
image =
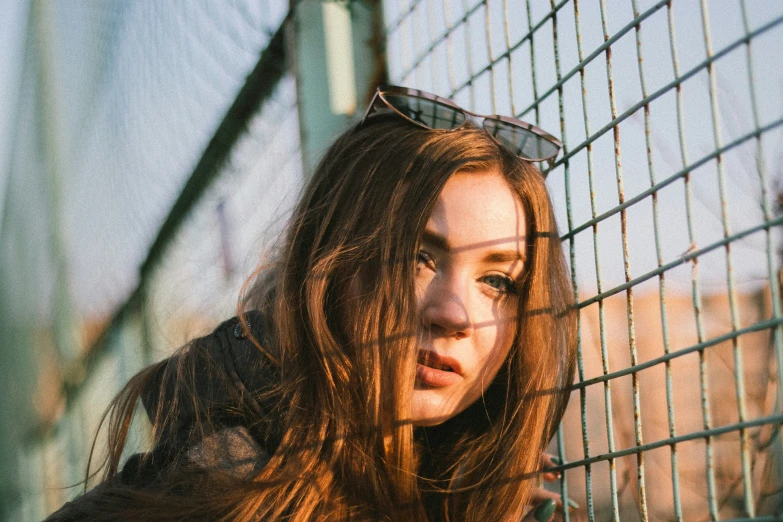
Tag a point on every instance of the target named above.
point(471, 256)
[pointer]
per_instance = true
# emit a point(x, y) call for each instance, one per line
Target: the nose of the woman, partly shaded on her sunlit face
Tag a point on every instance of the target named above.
point(445, 308)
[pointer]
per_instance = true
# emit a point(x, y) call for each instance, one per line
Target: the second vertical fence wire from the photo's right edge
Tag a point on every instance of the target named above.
point(739, 377)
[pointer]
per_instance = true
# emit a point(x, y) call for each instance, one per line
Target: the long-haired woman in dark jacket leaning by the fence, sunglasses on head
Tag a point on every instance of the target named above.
point(405, 358)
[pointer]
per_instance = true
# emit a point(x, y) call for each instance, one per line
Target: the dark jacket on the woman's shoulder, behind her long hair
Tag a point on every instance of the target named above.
point(230, 375)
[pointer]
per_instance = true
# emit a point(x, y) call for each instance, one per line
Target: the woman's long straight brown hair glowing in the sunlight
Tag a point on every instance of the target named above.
point(340, 309)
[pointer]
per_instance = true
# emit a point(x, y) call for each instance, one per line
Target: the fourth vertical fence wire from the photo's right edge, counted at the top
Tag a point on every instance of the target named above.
point(661, 276)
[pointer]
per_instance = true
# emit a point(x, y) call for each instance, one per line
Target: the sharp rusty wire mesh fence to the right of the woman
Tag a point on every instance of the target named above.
point(666, 191)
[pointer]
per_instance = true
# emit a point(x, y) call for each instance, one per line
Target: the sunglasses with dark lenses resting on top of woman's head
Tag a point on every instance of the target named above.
point(435, 113)
